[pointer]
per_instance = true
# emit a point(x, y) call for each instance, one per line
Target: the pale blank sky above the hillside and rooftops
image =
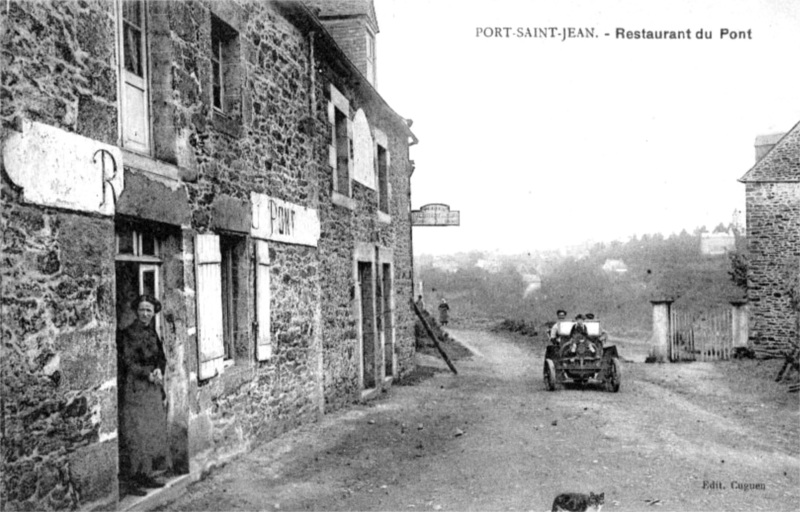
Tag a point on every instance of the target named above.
point(540, 142)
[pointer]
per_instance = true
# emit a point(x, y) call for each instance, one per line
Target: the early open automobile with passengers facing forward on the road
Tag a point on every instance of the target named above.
point(581, 358)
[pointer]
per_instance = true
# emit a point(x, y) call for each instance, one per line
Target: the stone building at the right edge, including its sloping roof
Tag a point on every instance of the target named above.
point(773, 239)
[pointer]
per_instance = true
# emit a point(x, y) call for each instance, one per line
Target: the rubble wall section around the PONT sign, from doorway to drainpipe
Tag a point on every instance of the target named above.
point(263, 146)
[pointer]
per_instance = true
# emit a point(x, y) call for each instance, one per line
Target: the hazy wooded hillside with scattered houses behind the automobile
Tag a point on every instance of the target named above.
point(614, 281)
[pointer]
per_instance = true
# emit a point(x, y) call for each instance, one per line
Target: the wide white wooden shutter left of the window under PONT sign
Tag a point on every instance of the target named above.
point(211, 350)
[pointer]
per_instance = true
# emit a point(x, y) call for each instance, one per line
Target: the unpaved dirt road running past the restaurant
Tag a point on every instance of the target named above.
point(676, 437)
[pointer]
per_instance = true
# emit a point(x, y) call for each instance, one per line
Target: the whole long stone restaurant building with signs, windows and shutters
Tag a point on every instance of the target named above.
point(234, 160)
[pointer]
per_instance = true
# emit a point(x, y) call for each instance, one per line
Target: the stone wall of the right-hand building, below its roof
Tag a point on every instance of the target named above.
point(773, 214)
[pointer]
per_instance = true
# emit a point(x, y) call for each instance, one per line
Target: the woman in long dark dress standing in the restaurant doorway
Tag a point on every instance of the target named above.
point(144, 418)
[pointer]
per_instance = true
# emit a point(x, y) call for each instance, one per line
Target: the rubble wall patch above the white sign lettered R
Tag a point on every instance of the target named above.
point(62, 68)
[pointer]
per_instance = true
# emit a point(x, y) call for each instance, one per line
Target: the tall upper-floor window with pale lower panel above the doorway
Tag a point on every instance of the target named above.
point(134, 75)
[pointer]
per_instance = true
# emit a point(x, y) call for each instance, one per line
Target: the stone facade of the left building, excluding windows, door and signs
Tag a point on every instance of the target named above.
point(59, 297)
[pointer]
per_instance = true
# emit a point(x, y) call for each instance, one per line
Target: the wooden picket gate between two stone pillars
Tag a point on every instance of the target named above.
point(706, 336)
